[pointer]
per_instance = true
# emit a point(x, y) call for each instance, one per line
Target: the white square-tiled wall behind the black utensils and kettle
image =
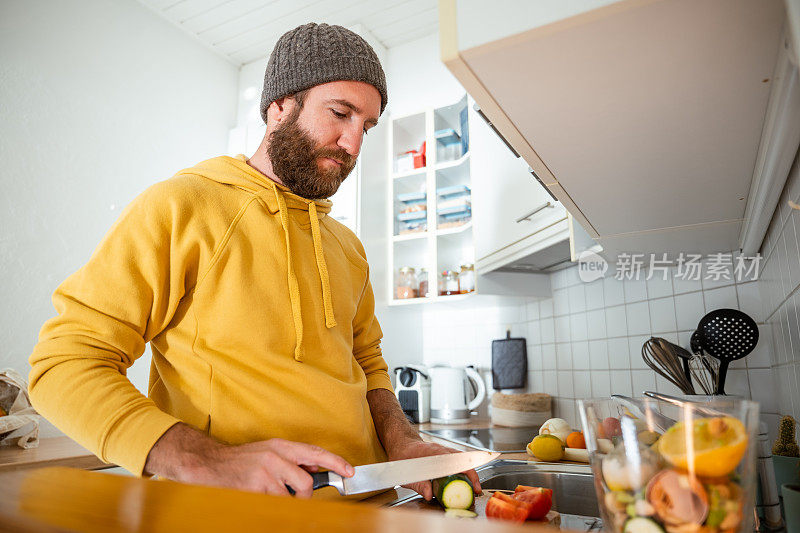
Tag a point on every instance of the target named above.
point(586, 340)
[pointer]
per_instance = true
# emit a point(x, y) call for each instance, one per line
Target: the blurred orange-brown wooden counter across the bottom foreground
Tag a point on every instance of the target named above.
point(57, 499)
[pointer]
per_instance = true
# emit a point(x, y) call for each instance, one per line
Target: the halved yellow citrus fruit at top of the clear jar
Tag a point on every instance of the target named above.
point(713, 448)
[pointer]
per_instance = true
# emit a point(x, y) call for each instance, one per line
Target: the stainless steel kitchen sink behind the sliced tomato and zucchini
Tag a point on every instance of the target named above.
point(574, 494)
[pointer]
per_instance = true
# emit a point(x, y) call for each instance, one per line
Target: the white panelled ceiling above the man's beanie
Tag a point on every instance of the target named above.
point(246, 30)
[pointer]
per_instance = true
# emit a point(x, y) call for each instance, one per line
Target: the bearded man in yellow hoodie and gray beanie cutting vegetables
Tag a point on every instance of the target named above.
point(258, 306)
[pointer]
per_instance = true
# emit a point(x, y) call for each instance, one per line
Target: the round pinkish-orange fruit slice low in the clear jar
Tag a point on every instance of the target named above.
point(678, 498)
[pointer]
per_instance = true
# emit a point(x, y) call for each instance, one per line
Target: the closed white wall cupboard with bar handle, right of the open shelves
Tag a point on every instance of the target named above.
point(514, 215)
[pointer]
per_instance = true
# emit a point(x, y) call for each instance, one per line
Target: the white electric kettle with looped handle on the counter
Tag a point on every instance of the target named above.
point(450, 391)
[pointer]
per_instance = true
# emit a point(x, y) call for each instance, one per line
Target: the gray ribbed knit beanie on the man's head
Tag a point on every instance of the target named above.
point(313, 54)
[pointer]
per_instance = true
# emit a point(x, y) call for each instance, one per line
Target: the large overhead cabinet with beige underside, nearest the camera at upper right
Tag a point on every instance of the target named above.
point(649, 120)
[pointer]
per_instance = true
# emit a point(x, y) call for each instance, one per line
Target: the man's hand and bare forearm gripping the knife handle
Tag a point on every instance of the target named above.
point(186, 455)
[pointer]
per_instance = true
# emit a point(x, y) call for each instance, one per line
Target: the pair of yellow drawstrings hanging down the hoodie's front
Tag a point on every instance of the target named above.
point(322, 268)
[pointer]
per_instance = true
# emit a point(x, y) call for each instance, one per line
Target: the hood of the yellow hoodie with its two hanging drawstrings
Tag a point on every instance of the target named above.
point(278, 200)
